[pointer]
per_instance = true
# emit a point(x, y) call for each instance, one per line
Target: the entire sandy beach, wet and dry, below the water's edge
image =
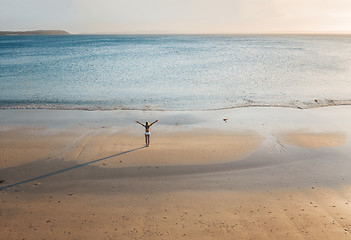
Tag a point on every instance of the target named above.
point(265, 173)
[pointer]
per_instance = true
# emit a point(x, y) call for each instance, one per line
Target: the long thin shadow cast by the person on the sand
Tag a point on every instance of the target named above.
point(67, 169)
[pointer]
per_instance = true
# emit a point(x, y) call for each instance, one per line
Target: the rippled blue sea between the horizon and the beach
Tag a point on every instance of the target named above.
point(173, 72)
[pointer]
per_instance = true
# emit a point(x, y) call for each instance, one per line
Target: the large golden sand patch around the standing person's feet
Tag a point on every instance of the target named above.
point(188, 148)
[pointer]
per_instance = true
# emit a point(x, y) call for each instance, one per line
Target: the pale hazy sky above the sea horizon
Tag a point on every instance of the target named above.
point(177, 16)
